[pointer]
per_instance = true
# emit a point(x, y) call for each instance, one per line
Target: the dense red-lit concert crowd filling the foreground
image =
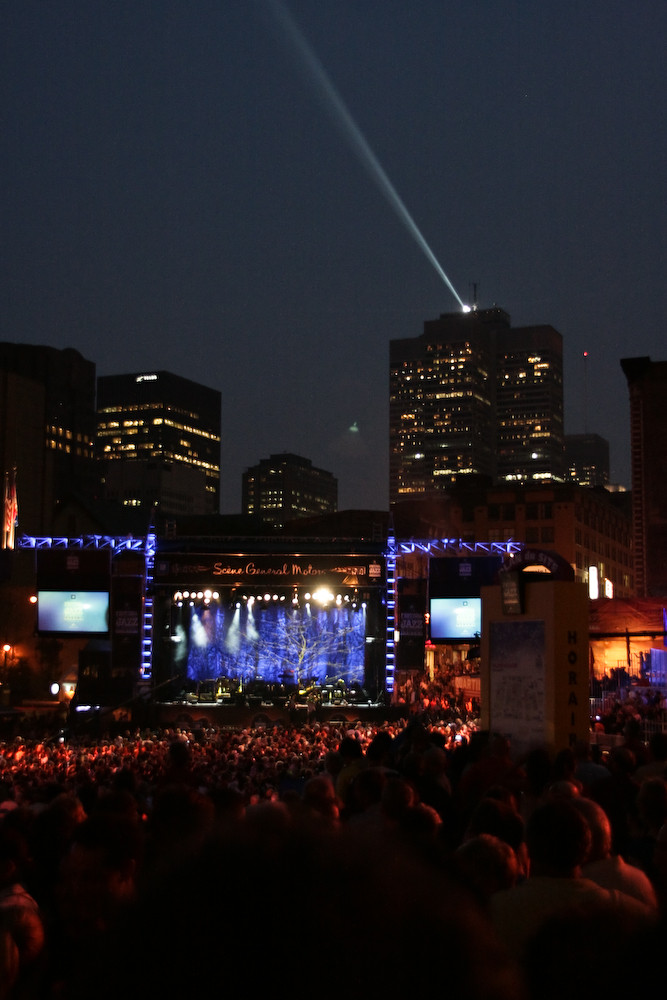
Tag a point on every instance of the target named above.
point(406, 856)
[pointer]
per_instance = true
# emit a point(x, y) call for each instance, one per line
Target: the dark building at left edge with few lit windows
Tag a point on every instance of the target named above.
point(47, 429)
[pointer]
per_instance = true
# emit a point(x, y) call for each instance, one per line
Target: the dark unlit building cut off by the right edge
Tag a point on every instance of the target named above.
point(647, 384)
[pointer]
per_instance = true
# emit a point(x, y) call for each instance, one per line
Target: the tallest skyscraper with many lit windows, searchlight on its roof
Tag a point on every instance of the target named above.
point(471, 395)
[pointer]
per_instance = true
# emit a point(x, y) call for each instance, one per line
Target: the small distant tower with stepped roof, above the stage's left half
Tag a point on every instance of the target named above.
point(285, 487)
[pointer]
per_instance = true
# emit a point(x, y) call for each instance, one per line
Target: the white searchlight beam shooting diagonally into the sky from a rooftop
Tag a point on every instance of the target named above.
point(355, 136)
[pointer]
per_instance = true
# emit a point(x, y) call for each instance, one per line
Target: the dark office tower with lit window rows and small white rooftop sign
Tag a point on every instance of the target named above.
point(158, 438)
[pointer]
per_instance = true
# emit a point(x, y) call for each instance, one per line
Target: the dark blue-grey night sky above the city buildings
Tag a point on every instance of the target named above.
point(178, 192)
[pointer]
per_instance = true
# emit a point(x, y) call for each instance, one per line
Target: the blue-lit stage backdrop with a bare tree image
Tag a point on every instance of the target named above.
point(277, 644)
